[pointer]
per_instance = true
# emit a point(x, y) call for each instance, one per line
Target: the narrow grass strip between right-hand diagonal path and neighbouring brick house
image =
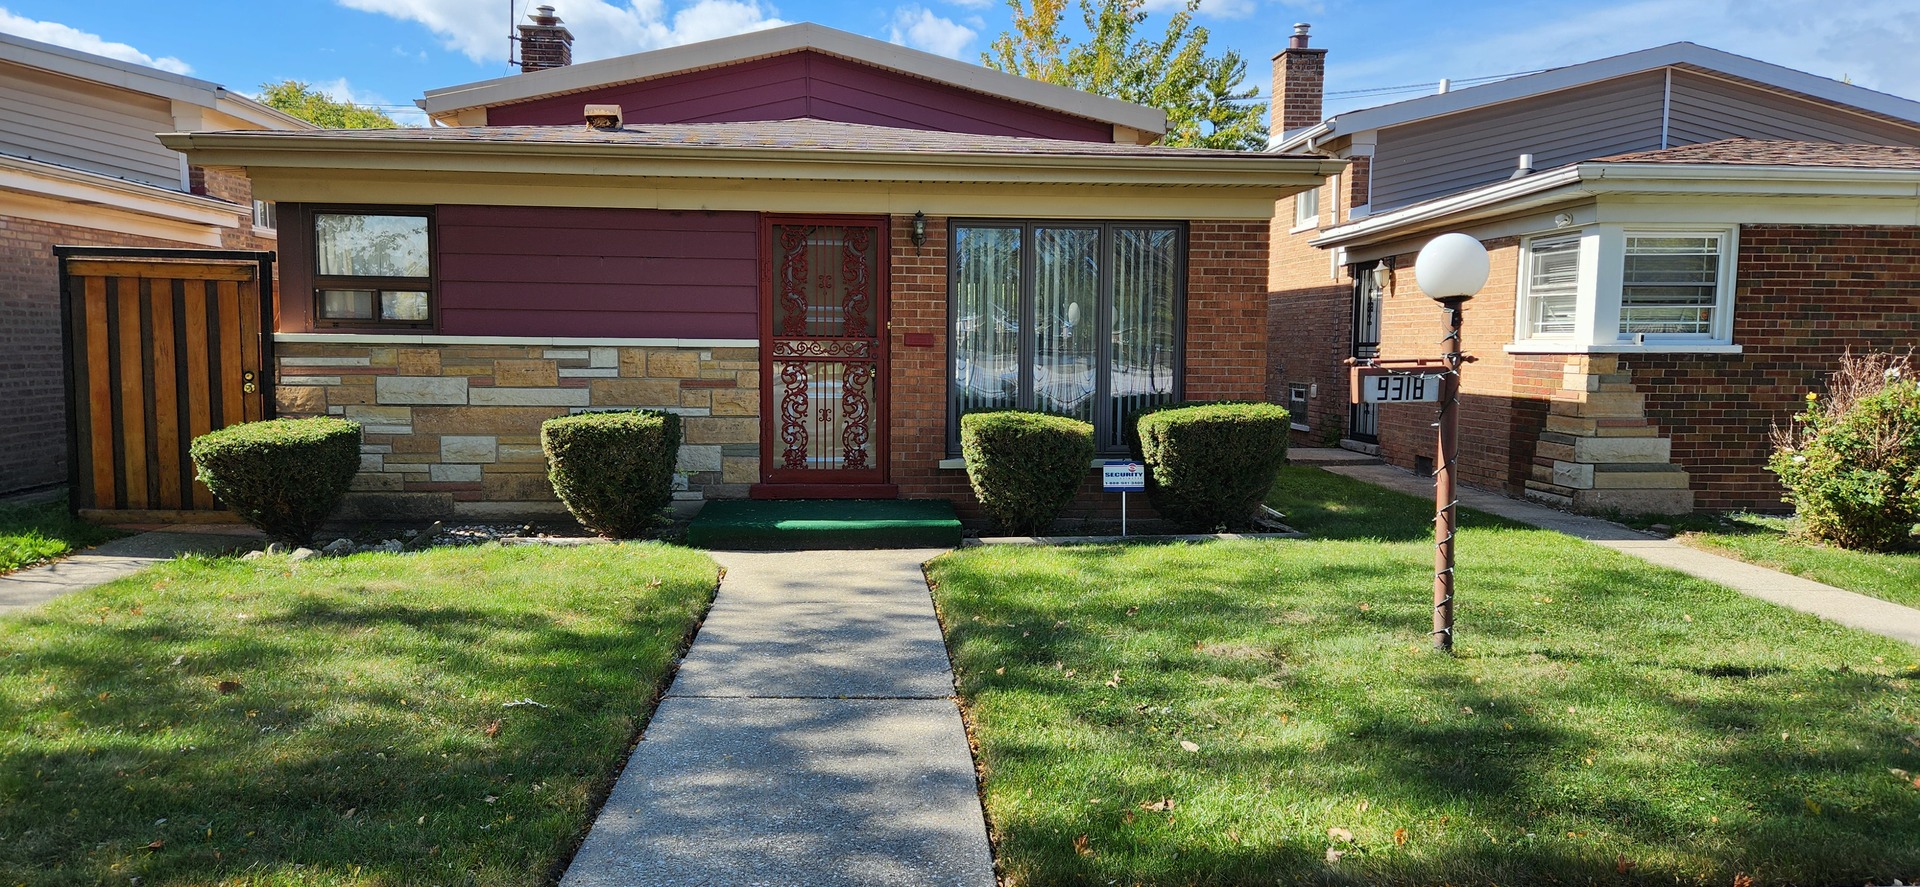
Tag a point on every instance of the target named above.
point(1771, 542)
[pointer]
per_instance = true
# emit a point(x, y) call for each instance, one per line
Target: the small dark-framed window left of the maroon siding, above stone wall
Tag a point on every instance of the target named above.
point(373, 270)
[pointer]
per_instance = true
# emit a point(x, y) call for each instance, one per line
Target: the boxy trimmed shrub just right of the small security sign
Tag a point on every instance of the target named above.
point(1211, 466)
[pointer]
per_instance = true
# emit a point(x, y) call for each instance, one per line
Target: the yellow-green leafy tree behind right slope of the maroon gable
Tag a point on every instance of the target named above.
point(1203, 95)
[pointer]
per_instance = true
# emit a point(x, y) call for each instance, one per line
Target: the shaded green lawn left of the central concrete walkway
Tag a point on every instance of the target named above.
point(274, 723)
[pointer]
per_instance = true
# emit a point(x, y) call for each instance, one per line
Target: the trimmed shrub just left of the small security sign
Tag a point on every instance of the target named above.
point(1024, 466)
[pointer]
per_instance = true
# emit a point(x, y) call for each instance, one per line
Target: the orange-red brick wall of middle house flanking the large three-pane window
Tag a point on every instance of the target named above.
point(1226, 352)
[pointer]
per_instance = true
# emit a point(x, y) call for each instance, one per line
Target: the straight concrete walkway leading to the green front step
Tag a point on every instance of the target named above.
point(811, 738)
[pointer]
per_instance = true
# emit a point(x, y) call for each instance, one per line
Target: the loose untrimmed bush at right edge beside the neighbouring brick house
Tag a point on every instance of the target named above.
point(1852, 462)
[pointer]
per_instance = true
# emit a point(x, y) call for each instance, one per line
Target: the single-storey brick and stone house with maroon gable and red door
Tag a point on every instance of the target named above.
point(815, 247)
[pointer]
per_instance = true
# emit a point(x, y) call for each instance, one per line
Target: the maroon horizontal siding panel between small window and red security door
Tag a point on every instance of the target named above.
point(625, 274)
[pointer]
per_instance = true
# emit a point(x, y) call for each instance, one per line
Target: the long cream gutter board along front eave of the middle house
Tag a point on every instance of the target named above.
point(704, 162)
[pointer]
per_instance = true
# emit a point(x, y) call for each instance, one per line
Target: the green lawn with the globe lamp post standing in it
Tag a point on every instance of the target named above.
point(1274, 713)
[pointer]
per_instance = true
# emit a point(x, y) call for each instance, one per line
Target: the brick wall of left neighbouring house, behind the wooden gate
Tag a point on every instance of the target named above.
point(34, 408)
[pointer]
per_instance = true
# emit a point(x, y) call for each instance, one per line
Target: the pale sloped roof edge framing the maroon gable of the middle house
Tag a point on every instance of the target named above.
point(779, 41)
